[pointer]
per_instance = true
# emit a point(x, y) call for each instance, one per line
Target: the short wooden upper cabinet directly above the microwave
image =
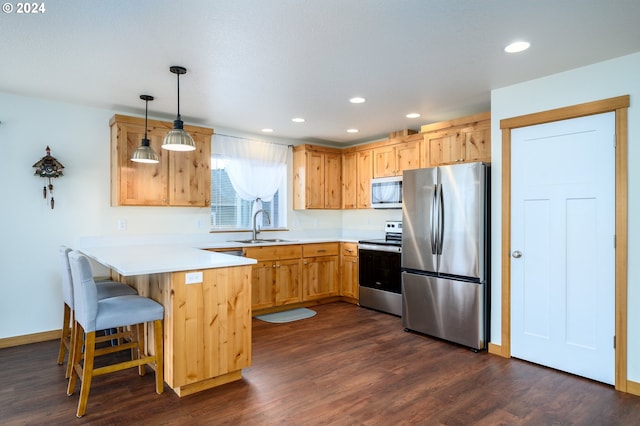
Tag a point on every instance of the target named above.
point(392, 160)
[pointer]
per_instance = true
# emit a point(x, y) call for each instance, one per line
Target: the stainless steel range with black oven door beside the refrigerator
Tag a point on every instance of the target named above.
point(379, 273)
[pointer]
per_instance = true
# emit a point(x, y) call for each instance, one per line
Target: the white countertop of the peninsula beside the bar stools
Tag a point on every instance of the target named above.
point(152, 259)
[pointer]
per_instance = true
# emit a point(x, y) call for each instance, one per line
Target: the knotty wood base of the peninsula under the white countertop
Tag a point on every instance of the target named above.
point(207, 325)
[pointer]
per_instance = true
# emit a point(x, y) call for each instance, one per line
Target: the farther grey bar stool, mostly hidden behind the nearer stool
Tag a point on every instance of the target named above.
point(105, 289)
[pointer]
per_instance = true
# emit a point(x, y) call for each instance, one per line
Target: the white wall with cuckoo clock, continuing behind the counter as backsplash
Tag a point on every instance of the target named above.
point(31, 232)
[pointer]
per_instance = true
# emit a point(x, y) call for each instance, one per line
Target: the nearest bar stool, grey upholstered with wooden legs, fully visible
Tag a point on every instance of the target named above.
point(92, 315)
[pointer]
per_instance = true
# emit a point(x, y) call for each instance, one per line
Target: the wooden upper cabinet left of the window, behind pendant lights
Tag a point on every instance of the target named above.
point(179, 179)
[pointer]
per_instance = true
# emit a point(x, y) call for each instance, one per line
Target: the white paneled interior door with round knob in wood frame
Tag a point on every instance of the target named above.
point(562, 245)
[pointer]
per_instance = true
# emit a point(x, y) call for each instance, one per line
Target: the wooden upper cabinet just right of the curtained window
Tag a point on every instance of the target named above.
point(317, 181)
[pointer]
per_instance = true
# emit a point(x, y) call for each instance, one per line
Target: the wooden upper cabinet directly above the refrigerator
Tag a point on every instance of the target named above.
point(463, 140)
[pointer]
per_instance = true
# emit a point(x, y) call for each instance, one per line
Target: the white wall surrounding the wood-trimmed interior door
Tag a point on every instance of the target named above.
point(603, 80)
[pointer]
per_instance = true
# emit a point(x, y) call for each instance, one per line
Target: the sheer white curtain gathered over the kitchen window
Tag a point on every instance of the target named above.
point(255, 168)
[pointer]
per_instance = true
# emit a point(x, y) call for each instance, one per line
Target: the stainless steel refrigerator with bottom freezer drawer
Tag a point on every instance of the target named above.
point(445, 250)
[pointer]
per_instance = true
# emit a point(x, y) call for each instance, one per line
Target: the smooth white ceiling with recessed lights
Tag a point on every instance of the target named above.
point(258, 63)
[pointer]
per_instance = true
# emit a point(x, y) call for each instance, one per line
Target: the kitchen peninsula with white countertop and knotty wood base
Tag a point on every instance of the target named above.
point(207, 315)
